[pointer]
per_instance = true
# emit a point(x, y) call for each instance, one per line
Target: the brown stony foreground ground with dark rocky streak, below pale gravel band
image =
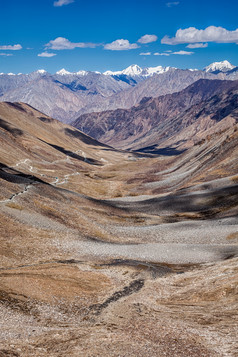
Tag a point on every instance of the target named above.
point(78, 309)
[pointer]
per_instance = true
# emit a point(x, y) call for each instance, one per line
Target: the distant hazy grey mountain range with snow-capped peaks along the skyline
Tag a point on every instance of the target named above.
point(66, 96)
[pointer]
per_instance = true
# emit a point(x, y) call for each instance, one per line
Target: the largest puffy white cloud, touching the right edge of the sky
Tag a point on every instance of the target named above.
point(210, 34)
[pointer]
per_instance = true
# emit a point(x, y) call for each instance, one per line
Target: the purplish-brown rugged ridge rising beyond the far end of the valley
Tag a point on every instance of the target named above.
point(121, 128)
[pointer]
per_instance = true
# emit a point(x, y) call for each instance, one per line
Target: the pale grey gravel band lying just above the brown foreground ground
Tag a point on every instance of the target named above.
point(154, 252)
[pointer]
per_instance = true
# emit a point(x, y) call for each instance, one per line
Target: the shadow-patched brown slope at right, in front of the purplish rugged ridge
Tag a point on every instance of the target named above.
point(193, 125)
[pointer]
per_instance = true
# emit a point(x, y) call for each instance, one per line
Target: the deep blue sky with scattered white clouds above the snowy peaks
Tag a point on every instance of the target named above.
point(106, 35)
